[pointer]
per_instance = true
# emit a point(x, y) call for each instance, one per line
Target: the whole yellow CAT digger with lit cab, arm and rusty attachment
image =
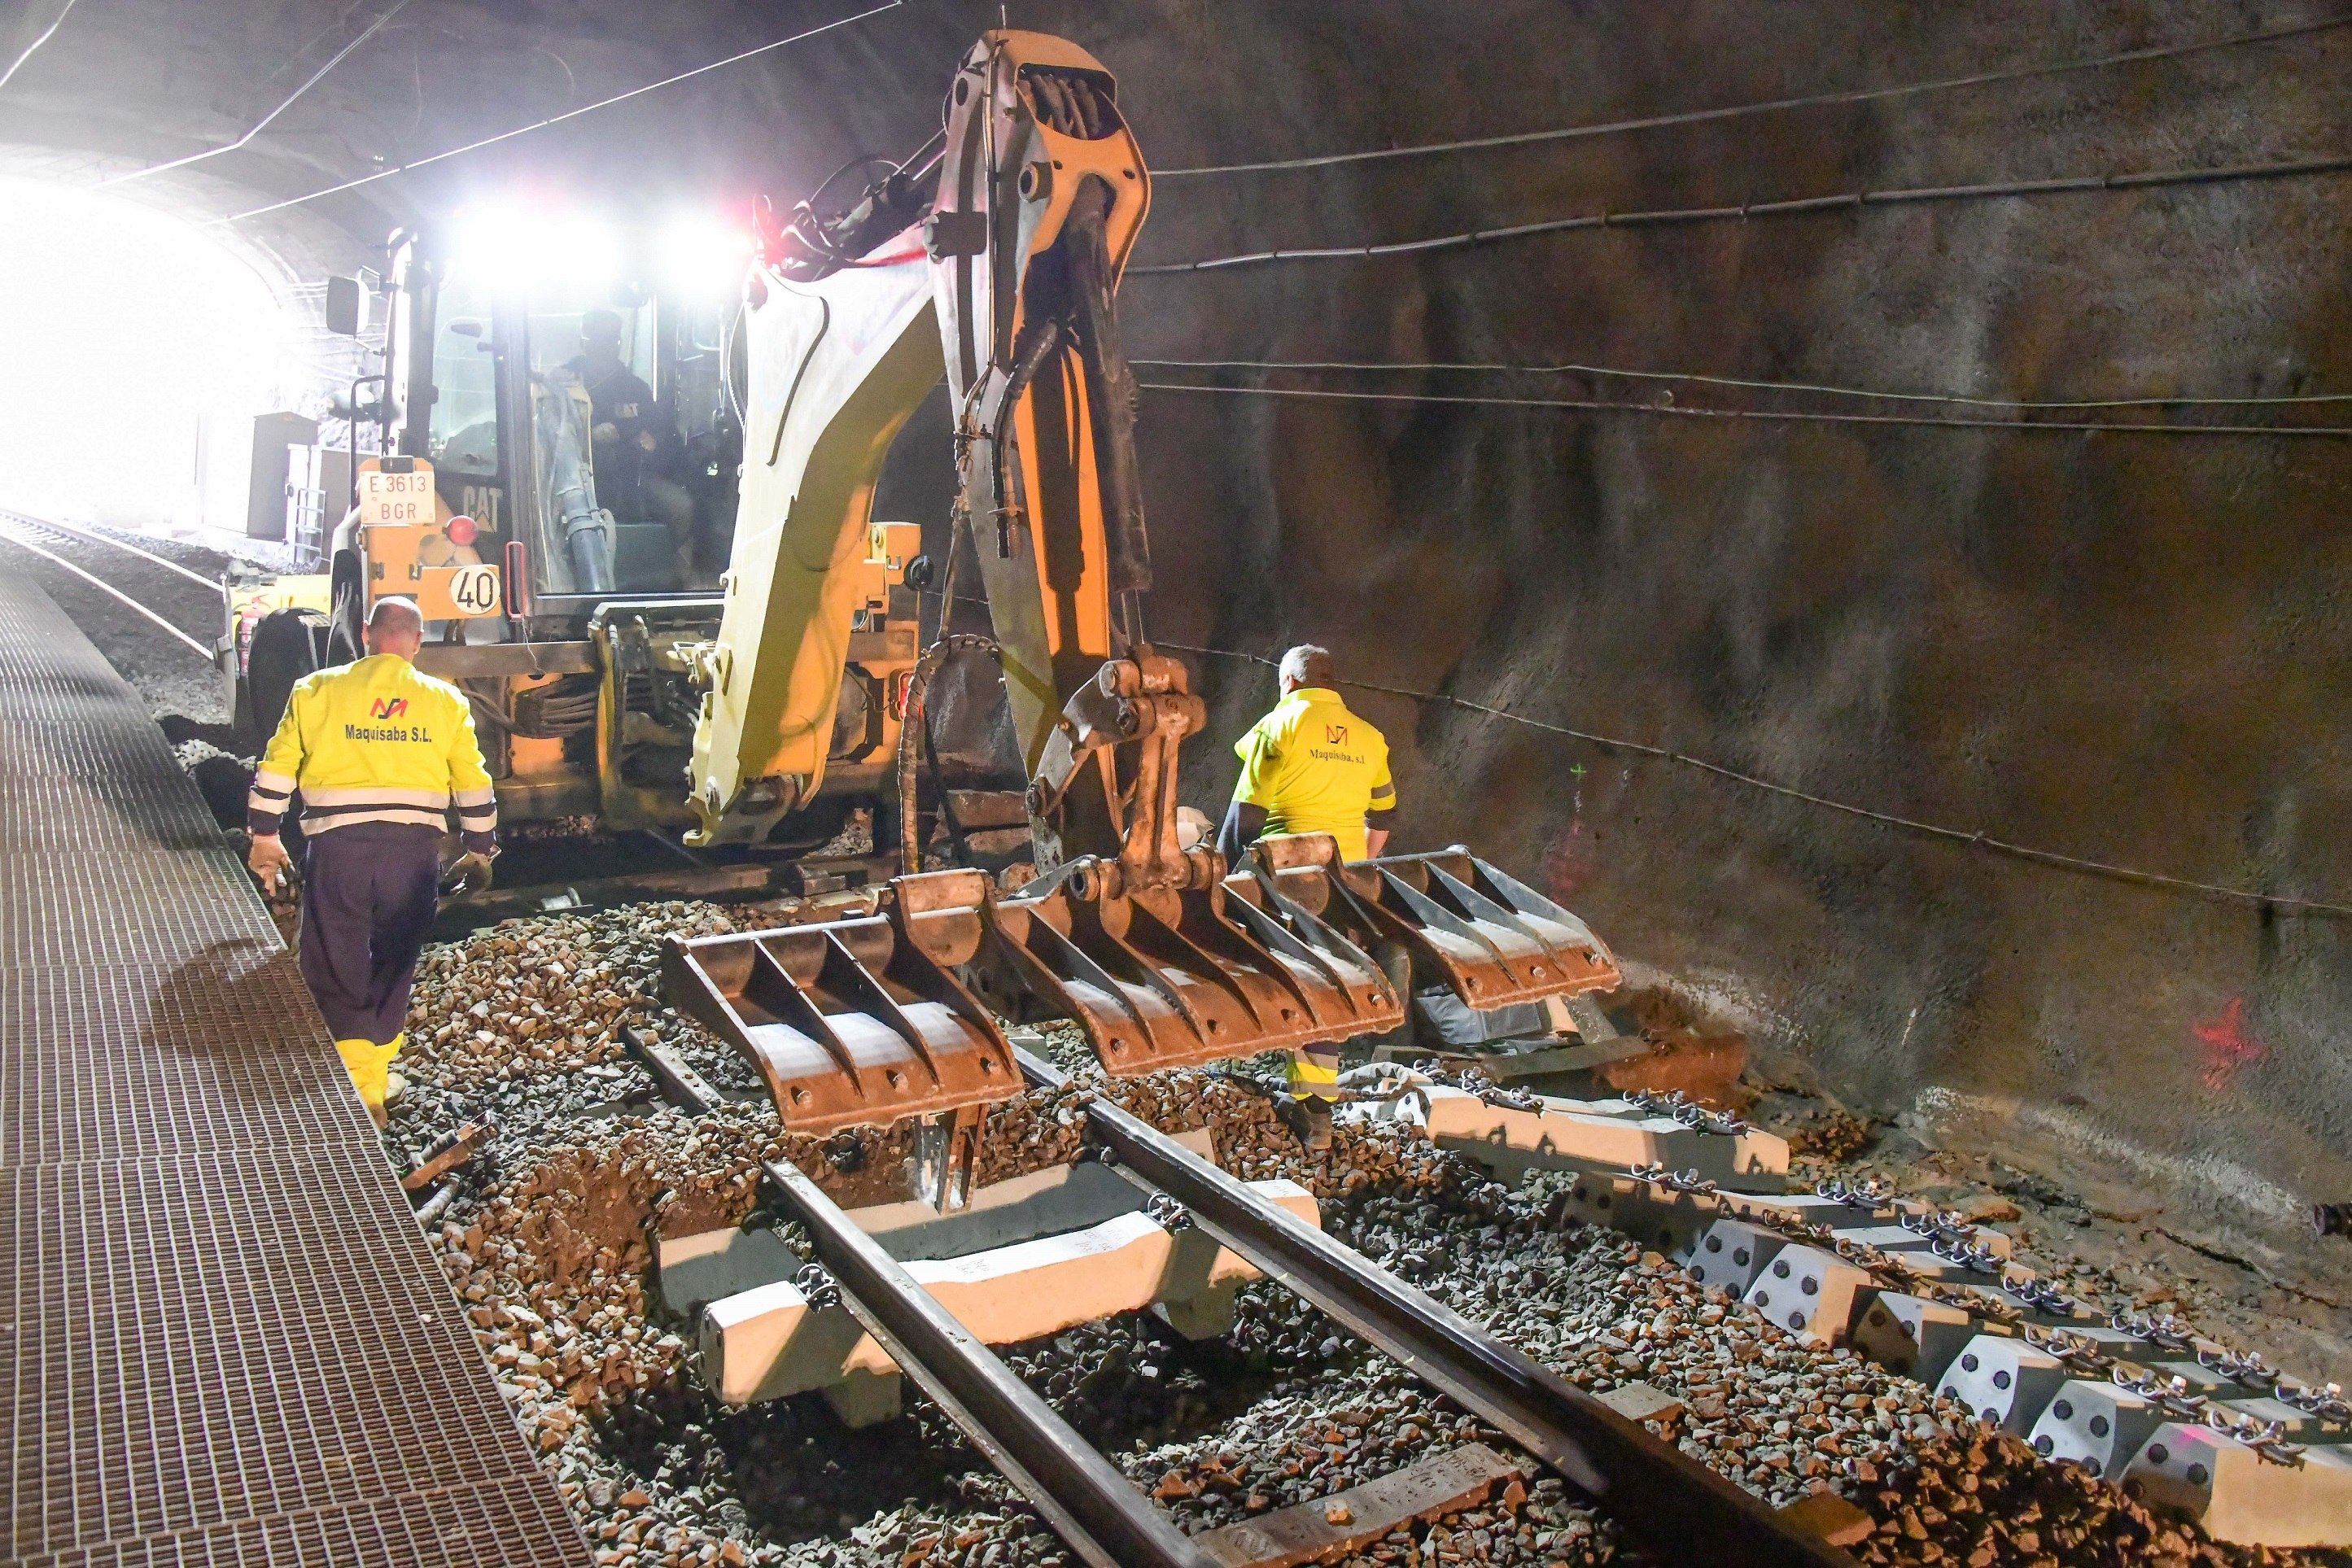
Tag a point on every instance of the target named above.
point(994, 260)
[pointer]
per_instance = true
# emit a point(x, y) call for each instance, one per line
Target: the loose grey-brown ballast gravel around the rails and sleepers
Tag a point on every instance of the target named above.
point(549, 1245)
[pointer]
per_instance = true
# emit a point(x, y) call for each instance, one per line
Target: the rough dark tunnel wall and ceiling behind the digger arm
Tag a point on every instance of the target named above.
point(2127, 648)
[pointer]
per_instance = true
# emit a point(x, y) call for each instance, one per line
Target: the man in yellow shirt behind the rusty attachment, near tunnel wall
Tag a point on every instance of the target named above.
point(1311, 768)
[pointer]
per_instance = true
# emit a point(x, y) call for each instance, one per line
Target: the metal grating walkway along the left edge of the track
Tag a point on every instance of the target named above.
point(222, 1336)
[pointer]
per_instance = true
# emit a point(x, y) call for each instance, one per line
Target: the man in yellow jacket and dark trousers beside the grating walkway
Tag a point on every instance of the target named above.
point(380, 753)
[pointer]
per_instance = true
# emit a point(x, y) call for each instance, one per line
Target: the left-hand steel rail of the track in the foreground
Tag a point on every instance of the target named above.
point(1076, 1489)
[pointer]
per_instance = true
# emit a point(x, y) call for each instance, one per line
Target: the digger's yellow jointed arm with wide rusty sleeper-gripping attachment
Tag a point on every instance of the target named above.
point(994, 257)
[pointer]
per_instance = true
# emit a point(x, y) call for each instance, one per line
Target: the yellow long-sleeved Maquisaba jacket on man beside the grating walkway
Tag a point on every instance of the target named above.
point(375, 744)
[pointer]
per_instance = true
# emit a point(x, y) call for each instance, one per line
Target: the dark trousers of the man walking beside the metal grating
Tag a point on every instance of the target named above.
point(368, 904)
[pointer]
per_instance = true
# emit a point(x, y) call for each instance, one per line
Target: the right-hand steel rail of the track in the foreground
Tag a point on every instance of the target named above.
point(1683, 1510)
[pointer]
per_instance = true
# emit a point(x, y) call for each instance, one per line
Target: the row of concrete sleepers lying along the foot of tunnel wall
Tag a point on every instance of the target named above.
point(2139, 1400)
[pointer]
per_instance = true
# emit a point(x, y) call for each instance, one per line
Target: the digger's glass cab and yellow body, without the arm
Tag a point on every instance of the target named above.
point(554, 476)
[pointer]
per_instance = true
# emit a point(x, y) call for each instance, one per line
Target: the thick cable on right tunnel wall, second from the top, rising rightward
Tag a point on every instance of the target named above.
point(1784, 208)
